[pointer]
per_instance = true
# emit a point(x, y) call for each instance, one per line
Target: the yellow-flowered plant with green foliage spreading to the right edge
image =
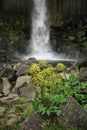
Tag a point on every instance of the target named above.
point(53, 90)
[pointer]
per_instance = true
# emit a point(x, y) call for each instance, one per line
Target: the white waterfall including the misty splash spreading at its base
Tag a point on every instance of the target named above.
point(40, 33)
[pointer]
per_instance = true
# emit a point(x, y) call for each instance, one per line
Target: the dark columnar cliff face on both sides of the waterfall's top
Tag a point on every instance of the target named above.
point(58, 10)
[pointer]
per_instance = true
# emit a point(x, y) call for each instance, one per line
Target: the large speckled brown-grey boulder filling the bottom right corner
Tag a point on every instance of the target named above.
point(73, 114)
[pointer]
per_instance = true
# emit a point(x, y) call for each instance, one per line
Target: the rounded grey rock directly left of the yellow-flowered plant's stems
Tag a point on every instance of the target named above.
point(27, 92)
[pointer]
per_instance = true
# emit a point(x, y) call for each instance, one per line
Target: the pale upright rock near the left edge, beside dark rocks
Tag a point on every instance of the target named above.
point(6, 86)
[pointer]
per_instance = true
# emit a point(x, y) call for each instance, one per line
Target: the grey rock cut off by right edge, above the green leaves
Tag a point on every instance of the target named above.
point(83, 73)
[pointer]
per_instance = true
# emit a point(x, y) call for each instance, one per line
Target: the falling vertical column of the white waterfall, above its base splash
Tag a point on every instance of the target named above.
point(40, 31)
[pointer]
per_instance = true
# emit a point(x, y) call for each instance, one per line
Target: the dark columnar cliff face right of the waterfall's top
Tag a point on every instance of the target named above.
point(61, 10)
